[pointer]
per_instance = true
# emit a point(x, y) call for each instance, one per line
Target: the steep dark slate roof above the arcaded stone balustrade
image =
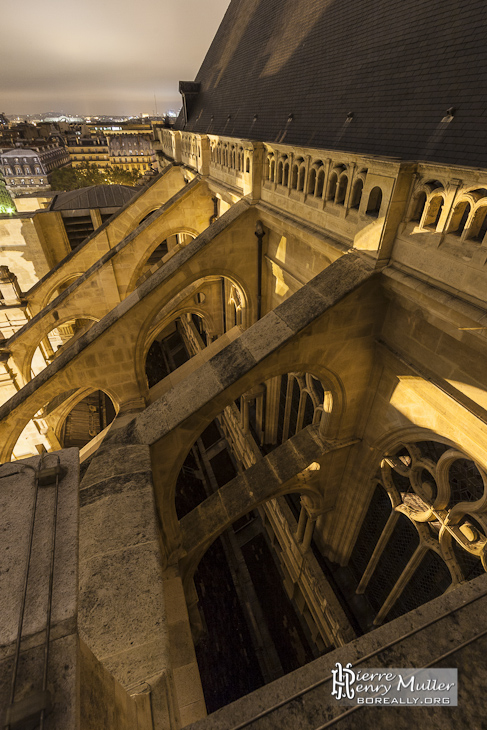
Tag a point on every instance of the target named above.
point(397, 65)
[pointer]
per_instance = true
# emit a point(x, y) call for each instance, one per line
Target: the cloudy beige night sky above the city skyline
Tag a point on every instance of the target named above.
point(102, 56)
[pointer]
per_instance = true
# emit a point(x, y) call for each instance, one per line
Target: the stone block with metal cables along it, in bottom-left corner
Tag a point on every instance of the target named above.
point(46, 671)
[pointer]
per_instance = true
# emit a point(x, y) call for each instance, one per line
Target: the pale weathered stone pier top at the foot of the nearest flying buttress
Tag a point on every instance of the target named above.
point(122, 613)
